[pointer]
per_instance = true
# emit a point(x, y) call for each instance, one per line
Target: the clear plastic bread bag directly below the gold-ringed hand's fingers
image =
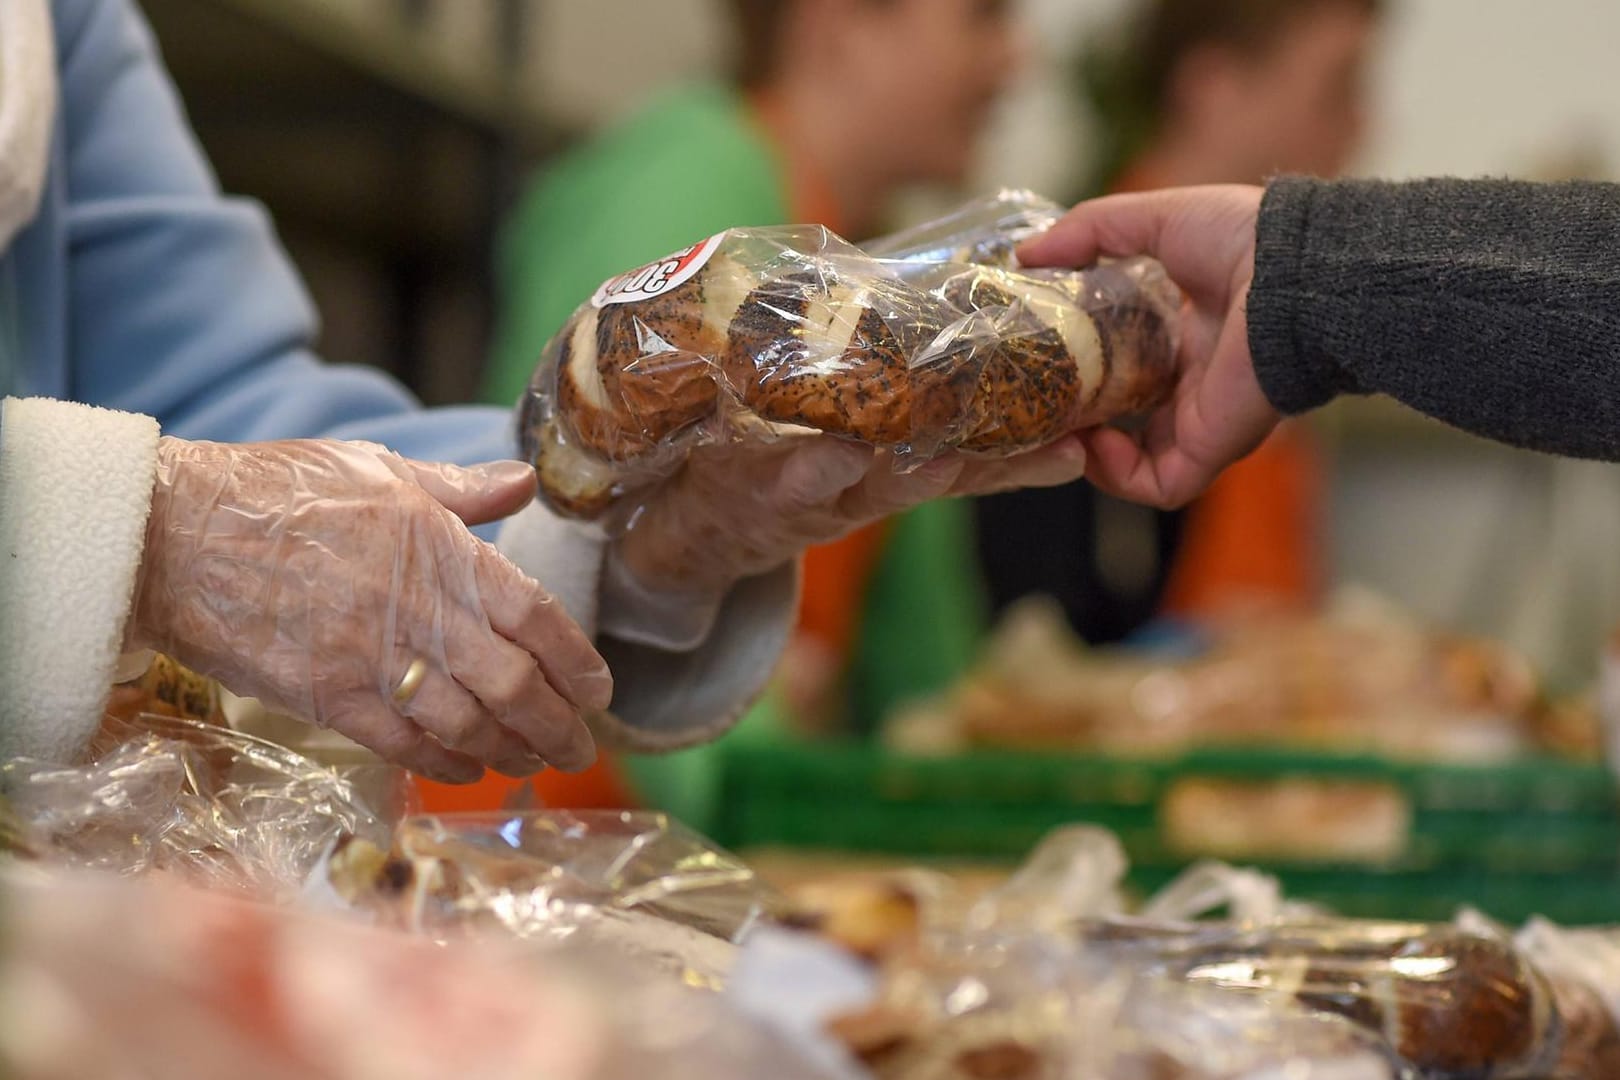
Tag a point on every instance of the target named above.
point(633, 883)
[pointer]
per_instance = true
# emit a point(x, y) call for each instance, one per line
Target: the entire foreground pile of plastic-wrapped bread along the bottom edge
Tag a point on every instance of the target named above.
point(262, 914)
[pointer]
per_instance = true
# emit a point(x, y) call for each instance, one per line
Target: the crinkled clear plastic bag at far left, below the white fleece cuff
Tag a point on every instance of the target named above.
point(210, 804)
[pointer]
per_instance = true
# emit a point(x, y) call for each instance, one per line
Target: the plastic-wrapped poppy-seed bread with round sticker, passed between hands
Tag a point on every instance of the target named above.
point(769, 333)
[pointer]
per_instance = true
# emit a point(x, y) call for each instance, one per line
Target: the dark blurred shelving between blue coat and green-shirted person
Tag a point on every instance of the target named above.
point(383, 158)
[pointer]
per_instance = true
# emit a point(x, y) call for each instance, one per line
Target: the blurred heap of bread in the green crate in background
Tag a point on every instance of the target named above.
point(1358, 676)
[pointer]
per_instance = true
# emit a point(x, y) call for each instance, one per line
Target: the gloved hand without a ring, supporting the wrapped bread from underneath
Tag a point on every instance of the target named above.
point(743, 509)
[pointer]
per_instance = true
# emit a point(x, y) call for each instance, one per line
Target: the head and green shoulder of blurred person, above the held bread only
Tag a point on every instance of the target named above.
point(833, 108)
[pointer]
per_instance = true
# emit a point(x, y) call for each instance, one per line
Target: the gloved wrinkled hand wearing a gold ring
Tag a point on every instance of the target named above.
point(313, 574)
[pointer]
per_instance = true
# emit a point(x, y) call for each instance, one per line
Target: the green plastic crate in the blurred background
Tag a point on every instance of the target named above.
point(1540, 836)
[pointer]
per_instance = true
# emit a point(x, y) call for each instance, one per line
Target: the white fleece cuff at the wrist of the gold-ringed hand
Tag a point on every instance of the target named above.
point(75, 491)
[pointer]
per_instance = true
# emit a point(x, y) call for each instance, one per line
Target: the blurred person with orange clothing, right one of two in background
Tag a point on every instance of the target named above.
point(1198, 91)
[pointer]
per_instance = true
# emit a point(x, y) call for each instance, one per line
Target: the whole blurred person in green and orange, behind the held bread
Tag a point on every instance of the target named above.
point(833, 108)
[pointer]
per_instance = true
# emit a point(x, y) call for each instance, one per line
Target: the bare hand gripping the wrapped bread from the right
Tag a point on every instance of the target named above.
point(1217, 415)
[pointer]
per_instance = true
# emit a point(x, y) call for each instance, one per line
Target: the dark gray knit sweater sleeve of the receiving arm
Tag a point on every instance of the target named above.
point(1491, 305)
